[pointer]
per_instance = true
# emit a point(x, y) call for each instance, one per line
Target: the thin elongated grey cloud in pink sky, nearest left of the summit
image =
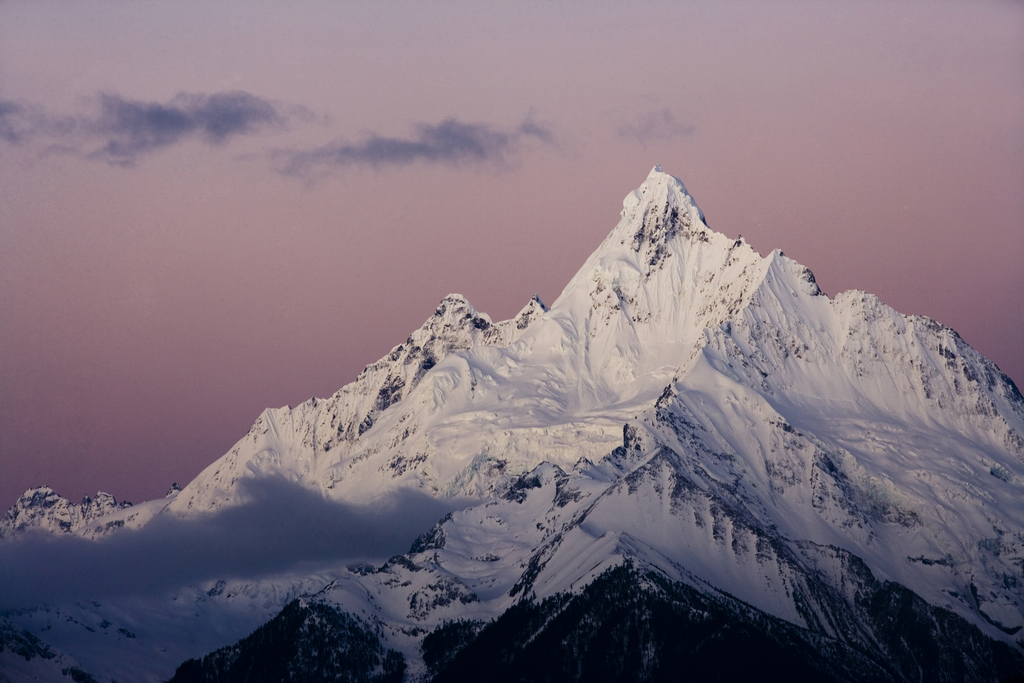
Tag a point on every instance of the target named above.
point(450, 143)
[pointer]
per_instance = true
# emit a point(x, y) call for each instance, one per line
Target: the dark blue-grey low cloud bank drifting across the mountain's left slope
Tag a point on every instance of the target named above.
point(282, 527)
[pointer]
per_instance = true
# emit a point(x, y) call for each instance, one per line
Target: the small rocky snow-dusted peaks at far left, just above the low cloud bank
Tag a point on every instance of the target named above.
point(45, 510)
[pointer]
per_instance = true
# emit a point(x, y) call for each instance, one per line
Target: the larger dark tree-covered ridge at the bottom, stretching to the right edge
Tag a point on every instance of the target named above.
point(639, 627)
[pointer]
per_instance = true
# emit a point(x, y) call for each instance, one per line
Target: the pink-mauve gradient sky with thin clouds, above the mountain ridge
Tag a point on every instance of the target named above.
point(207, 209)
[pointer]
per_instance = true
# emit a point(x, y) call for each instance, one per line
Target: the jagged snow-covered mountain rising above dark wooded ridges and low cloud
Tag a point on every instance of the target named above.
point(690, 412)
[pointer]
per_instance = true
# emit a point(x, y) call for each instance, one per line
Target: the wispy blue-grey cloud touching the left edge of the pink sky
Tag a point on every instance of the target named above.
point(121, 132)
